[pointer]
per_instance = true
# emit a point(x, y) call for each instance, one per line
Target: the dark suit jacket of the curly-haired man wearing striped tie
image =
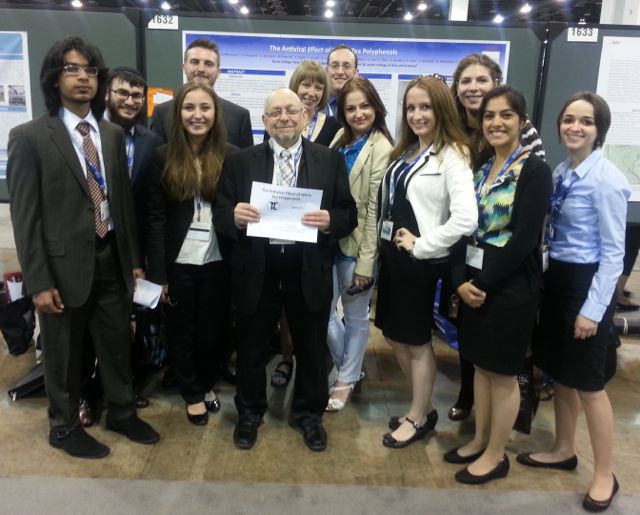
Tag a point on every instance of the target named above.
point(52, 210)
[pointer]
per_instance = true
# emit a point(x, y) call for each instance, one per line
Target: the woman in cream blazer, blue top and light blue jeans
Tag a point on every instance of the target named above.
point(365, 143)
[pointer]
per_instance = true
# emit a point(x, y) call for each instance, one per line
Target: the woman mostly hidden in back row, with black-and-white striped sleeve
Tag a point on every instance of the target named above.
point(474, 77)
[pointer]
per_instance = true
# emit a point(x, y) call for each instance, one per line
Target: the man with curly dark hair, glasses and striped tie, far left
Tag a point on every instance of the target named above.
point(74, 227)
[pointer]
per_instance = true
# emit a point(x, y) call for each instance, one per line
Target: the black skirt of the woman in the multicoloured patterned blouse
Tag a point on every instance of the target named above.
point(497, 335)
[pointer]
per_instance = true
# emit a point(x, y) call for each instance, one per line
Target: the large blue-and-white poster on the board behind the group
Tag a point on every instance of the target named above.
point(253, 65)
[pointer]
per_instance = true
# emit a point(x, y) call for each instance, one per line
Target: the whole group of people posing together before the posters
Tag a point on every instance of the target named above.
point(463, 196)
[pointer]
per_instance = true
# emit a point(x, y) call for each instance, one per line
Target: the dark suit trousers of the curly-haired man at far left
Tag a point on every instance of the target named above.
point(106, 316)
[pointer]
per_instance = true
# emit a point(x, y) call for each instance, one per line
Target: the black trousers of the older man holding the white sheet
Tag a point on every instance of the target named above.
point(309, 334)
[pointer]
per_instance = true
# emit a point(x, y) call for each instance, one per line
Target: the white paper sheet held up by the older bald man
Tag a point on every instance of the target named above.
point(281, 209)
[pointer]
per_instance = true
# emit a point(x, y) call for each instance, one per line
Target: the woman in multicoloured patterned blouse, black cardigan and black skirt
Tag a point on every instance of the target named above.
point(498, 275)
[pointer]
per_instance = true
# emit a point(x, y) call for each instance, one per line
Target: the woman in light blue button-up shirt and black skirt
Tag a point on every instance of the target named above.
point(585, 234)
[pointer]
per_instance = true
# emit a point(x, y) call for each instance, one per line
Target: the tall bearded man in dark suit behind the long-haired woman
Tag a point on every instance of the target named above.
point(202, 64)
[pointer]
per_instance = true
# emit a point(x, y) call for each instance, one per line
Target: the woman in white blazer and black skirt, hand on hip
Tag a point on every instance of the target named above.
point(426, 205)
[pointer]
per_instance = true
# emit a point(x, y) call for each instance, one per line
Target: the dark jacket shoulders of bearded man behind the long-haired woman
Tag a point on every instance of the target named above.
point(236, 120)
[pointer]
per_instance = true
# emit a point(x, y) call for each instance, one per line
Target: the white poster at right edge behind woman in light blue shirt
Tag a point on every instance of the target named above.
point(619, 84)
